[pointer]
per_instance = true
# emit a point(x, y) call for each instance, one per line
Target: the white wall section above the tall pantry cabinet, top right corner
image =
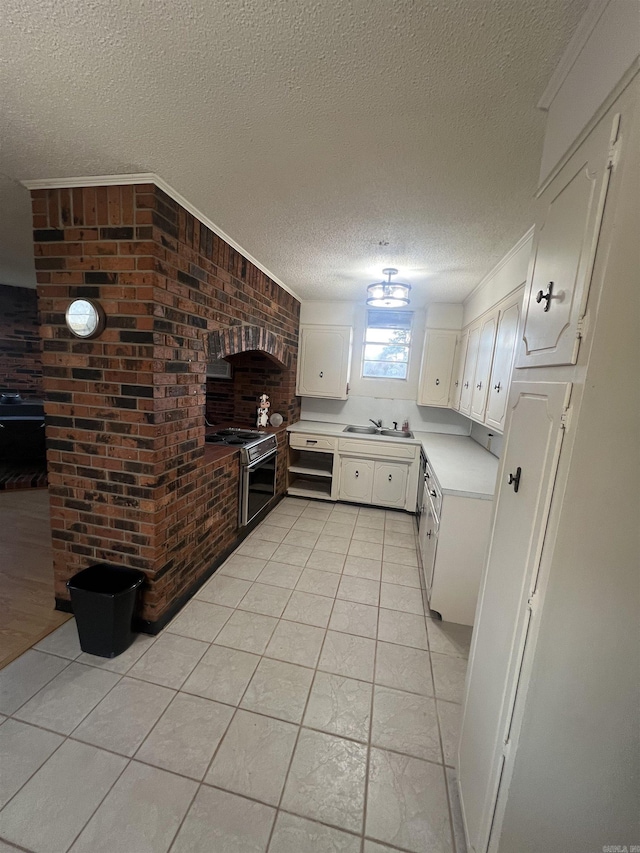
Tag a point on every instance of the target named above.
point(610, 49)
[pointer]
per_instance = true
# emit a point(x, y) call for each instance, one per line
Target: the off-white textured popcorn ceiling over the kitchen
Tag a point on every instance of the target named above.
point(328, 138)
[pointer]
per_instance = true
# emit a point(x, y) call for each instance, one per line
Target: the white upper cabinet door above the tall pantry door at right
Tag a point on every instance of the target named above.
point(568, 221)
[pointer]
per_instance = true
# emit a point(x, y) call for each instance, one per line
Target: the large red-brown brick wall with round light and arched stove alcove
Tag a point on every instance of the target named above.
point(128, 480)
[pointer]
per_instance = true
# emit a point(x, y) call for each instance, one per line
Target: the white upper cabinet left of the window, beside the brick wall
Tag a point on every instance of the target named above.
point(324, 361)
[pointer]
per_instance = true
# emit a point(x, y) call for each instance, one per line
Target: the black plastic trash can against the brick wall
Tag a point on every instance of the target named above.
point(104, 600)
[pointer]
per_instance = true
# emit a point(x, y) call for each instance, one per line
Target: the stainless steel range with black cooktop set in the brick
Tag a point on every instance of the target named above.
point(258, 456)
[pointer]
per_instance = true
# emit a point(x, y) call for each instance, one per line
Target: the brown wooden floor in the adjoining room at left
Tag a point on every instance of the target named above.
point(26, 574)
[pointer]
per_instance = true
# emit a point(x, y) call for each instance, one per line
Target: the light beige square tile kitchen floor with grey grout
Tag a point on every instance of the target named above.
point(300, 703)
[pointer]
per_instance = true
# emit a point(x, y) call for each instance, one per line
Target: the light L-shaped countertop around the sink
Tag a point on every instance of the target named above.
point(461, 466)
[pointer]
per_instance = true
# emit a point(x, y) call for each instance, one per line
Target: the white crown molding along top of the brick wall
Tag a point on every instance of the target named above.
point(152, 178)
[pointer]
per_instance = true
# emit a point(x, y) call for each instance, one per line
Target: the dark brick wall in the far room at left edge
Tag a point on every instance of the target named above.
point(20, 346)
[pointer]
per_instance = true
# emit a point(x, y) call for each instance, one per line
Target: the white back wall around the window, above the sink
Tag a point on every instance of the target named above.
point(389, 399)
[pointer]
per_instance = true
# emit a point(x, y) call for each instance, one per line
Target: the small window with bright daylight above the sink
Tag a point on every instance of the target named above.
point(387, 341)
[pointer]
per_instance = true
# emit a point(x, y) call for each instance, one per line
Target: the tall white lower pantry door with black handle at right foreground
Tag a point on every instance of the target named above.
point(530, 460)
